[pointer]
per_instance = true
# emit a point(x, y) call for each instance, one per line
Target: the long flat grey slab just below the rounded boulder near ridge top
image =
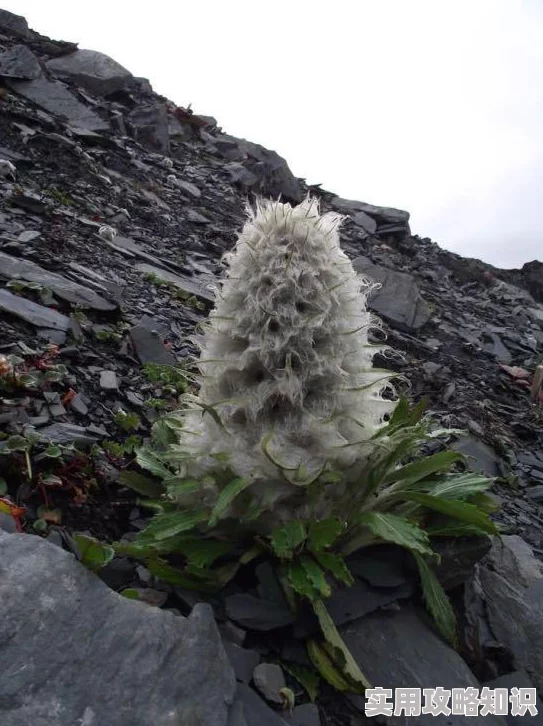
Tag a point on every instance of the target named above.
point(55, 98)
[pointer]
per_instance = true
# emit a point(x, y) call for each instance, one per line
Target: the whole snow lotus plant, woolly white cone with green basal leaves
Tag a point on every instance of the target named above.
point(294, 447)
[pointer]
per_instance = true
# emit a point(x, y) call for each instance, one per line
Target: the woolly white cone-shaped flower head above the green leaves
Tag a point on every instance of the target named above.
point(286, 359)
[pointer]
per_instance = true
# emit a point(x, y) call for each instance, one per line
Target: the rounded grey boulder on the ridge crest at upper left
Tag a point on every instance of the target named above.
point(96, 72)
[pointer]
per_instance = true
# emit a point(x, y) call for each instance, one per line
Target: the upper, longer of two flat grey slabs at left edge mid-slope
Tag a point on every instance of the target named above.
point(14, 268)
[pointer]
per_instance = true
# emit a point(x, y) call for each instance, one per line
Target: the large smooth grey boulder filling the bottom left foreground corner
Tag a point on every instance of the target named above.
point(73, 651)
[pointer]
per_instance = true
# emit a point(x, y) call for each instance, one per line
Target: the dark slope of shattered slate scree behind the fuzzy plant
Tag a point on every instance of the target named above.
point(116, 206)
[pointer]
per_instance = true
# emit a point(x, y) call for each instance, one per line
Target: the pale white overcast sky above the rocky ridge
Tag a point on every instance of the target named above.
point(434, 106)
